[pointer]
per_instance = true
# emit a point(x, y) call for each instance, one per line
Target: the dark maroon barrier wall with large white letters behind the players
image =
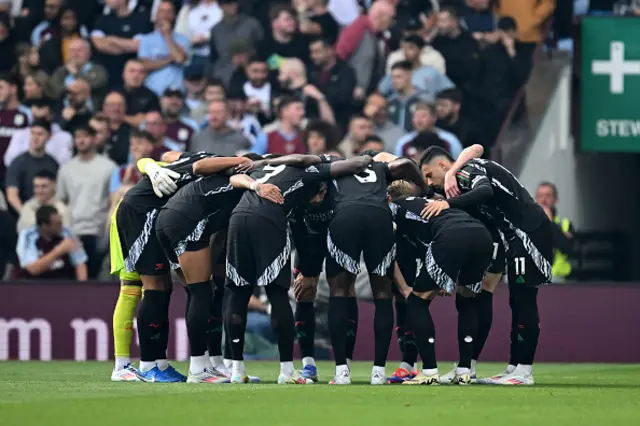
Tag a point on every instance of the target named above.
point(49, 320)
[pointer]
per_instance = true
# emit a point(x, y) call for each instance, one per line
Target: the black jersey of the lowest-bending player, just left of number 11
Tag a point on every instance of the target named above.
point(421, 232)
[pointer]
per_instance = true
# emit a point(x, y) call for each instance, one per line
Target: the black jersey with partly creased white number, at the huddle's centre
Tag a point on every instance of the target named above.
point(367, 188)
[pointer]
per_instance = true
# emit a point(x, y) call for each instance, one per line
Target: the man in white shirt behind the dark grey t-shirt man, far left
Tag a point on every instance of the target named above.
point(60, 143)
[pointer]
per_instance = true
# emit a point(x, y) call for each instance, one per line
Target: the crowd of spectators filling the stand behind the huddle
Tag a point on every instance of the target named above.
point(88, 88)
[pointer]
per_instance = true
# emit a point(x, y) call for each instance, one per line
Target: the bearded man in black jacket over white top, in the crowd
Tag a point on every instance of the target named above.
point(259, 90)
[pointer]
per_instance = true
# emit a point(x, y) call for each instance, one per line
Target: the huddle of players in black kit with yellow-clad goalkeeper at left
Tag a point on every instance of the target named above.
point(228, 225)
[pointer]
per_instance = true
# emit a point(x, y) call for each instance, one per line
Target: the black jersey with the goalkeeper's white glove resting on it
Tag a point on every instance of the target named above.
point(142, 198)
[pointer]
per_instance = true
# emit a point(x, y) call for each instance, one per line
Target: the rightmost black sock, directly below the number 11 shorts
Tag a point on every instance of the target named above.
point(528, 324)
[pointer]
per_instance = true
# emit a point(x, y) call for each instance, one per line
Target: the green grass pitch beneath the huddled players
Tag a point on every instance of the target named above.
point(66, 393)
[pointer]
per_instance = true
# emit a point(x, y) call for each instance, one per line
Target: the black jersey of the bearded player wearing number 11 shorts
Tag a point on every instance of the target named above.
point(512, 206)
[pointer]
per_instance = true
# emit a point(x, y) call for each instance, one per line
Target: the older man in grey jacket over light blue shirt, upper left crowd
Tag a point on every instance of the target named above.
point(78, 65)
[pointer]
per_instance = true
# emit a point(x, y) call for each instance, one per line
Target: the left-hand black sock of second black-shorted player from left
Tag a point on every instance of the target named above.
point(197, 320)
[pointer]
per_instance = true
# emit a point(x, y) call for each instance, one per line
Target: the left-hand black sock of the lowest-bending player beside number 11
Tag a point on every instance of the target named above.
point(425, 332)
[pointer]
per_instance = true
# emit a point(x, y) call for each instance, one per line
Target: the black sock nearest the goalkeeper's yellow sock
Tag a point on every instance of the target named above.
point(150, 322)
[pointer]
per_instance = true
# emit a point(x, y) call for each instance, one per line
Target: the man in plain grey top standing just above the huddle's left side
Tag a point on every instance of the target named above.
point(217, 136)
